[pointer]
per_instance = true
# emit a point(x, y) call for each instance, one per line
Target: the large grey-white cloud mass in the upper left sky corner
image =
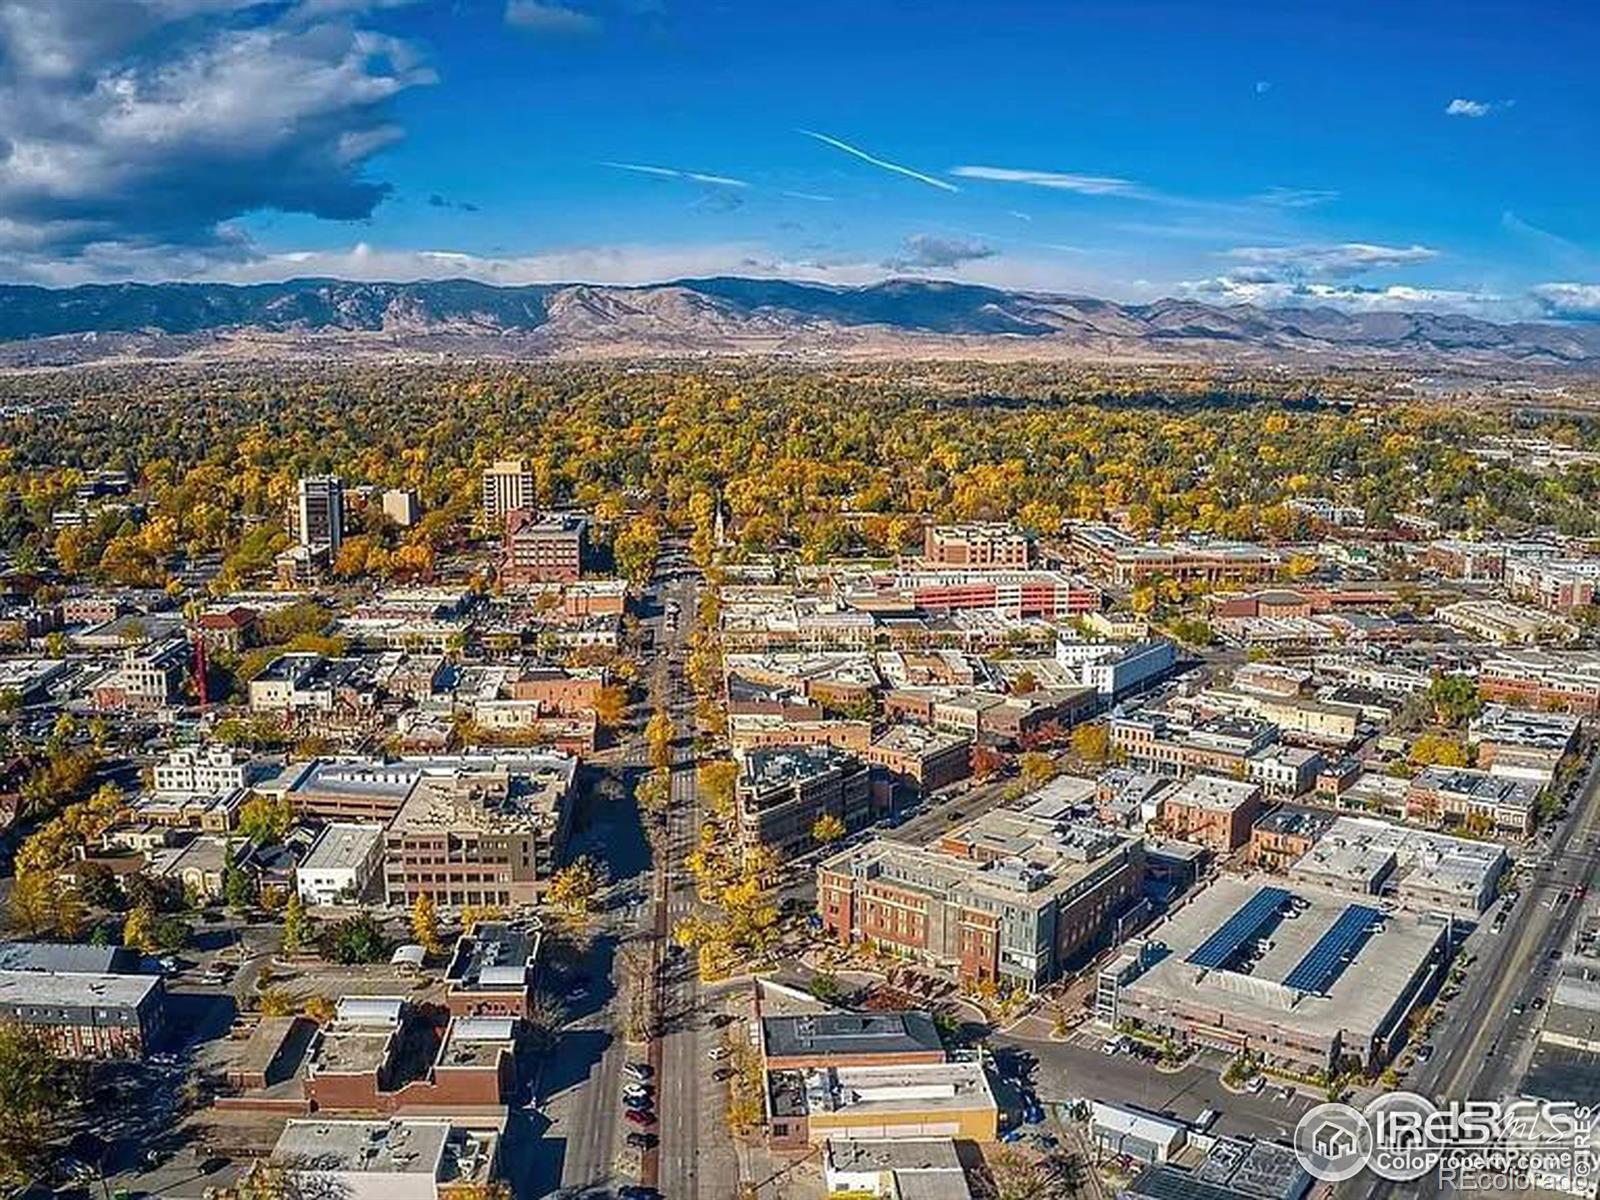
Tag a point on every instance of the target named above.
point(154, 122)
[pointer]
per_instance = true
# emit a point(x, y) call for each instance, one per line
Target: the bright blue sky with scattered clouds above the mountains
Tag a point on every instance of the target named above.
point(1358, 154)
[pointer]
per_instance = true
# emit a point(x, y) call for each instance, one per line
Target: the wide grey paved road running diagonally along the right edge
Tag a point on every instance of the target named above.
point(1484, 1042)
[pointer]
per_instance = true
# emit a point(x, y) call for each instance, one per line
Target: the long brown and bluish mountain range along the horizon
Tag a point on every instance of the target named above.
point(735, 318)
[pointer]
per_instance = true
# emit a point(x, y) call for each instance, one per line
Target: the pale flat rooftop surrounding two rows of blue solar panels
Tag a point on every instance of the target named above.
point(1358, 999)
